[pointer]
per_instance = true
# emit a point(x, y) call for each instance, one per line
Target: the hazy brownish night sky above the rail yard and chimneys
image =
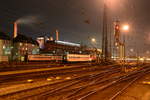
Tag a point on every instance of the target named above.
point(77, 20)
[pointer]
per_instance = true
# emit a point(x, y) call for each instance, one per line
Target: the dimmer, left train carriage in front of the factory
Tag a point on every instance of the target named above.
point(44, 58)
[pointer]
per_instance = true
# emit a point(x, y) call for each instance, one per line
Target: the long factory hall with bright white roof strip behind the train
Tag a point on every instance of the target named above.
point(57, 47)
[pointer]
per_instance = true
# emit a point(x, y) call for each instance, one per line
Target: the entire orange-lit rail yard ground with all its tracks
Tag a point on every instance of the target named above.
point(76, 82)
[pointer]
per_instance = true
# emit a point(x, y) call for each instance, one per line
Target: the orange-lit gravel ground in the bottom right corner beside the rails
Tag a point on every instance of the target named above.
point(140, 90)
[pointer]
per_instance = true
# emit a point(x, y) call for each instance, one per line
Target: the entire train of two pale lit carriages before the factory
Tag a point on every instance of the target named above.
point(64, 58)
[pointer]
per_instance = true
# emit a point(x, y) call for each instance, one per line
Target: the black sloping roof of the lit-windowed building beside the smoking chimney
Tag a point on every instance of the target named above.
point(24, 39)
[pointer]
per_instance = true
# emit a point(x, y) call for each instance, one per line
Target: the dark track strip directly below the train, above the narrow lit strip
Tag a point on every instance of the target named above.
point(35, 65)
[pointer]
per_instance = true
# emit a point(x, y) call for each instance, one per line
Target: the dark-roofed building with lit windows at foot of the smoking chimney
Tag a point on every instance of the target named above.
point(23, 46)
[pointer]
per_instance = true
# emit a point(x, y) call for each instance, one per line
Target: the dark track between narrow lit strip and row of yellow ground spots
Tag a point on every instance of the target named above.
point(58, 72)
